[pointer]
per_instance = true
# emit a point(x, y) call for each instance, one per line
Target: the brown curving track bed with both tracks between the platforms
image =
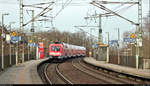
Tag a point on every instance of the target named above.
point(75, 71)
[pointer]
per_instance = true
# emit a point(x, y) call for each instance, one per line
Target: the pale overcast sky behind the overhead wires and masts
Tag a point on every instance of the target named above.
point(74, 16)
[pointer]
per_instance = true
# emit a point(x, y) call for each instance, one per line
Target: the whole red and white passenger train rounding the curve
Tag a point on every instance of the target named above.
point(60, 50)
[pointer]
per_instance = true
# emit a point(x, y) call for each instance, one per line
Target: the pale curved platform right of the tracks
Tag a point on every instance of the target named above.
point(144, 73)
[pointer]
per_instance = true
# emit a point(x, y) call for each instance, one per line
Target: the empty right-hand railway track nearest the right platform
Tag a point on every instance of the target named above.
point(105, 77)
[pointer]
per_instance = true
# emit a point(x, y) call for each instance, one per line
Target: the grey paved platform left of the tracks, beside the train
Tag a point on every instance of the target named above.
point(22, 73)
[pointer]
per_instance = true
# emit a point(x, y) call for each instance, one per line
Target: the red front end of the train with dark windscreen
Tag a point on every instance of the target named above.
point(55, 51)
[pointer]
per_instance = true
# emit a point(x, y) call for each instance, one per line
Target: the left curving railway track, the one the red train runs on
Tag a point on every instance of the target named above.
point(48, 78)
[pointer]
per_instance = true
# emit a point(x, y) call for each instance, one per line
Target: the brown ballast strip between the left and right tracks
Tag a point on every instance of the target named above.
point(77, 76)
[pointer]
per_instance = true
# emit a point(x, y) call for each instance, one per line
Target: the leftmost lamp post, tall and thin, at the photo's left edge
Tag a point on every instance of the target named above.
point(2, 40)
